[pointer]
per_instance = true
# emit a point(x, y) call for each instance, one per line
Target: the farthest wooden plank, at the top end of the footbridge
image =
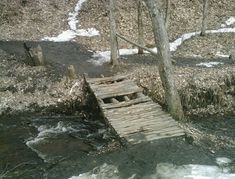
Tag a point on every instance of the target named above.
point(106, 79)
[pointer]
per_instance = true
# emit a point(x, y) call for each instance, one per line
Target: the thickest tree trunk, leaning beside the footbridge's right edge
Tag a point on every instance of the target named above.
point(165, 66)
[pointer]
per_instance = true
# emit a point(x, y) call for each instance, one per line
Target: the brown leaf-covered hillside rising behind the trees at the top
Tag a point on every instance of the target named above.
point(34, 20)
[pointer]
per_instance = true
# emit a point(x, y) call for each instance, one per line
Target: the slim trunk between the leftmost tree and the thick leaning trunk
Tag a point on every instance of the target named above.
point(140, 26)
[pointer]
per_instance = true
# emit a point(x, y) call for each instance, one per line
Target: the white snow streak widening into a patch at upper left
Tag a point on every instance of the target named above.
point(72, 32)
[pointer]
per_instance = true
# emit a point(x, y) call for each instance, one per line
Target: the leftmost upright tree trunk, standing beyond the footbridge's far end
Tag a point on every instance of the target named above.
point(113, 37)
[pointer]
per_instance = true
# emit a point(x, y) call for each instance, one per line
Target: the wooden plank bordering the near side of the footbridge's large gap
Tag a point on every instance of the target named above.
point(126, 103)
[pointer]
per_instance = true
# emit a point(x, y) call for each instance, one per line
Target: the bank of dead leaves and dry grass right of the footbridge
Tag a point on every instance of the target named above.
point(203, 91)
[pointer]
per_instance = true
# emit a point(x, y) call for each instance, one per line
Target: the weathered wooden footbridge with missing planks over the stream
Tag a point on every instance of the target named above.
point(132, 115)
